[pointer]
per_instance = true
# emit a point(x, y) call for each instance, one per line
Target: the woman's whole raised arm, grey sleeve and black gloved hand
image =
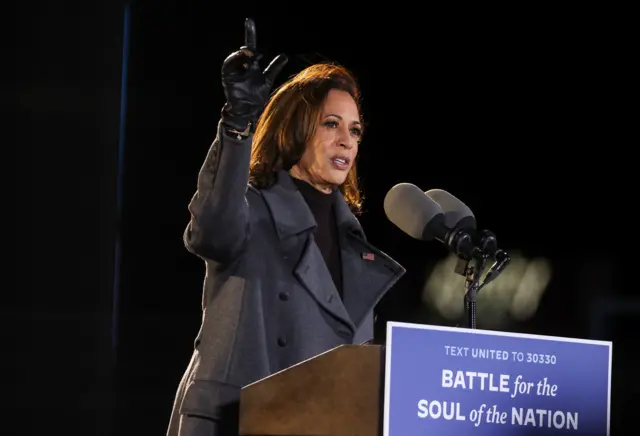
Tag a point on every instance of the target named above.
point(219, 223)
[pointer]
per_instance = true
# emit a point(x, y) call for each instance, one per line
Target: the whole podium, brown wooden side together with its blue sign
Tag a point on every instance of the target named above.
point(438, 380)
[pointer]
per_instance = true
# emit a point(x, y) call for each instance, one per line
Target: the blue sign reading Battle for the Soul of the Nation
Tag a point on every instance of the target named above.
point(457, 381)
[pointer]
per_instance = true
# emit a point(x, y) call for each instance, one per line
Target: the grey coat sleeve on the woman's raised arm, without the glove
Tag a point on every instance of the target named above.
point(219, 224)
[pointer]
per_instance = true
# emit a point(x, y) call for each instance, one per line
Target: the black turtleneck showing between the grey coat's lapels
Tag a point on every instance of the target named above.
point(326, 234)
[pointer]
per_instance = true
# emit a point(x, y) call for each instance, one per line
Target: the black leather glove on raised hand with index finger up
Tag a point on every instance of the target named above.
point(247, 88)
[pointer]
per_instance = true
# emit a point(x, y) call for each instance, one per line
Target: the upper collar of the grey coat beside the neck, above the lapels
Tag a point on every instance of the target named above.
point(291, 213)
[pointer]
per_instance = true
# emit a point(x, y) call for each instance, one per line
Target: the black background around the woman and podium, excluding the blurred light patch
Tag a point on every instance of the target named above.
point(527, 118)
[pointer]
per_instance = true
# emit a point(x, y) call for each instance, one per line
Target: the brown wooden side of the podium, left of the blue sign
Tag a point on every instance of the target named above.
point(337, 393)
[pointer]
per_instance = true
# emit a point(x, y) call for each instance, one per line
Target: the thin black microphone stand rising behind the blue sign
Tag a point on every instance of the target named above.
point(473, 272)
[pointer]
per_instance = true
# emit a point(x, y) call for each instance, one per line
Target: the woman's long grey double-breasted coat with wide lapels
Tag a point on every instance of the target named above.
point(269, 301)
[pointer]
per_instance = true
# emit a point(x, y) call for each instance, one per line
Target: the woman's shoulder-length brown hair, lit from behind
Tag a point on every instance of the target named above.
point(289, 122)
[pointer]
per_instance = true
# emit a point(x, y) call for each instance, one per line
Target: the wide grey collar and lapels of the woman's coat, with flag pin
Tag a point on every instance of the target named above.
point(367, 272)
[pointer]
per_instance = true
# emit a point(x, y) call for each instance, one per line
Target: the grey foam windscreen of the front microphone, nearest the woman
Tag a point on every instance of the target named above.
point(410, 209)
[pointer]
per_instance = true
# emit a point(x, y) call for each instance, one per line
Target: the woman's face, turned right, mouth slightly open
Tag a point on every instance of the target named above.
point(332, 151)
